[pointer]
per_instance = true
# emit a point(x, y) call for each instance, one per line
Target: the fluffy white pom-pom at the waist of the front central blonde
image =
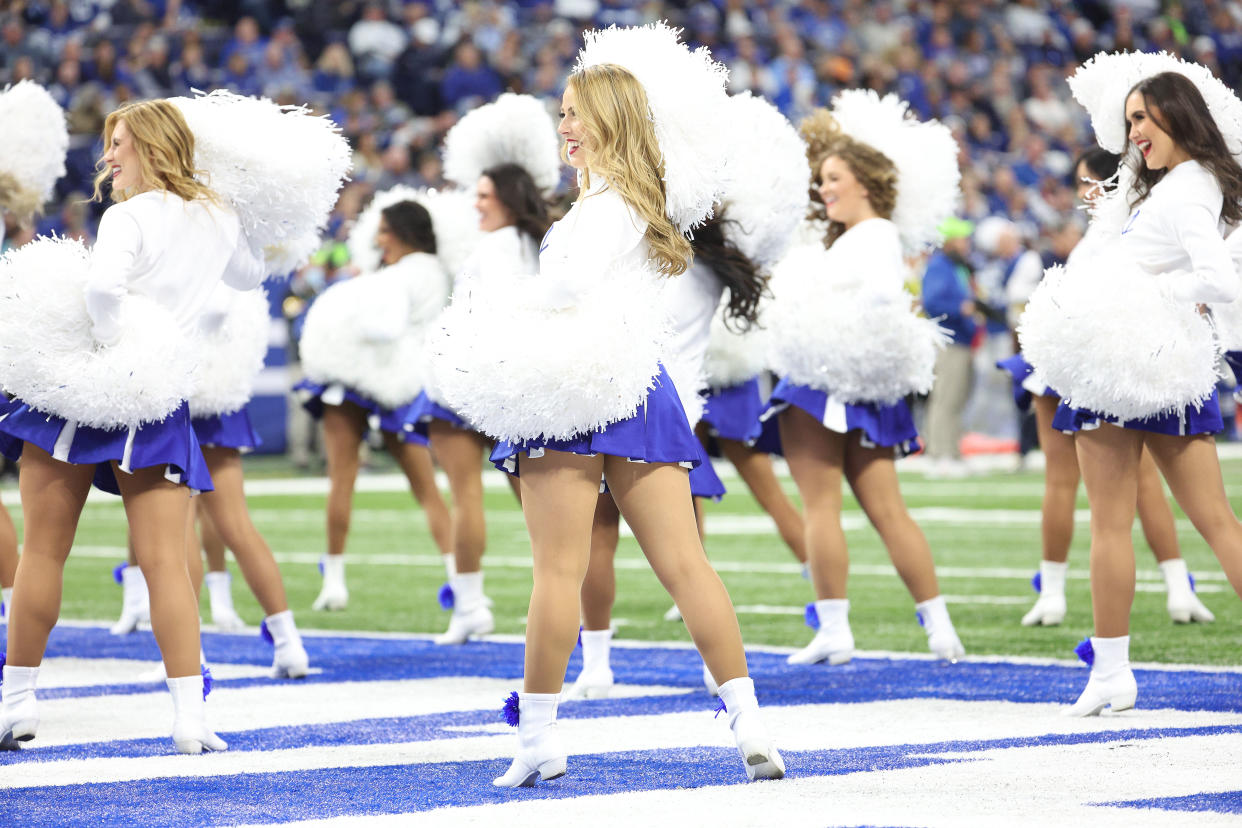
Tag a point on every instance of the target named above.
point(531, 387)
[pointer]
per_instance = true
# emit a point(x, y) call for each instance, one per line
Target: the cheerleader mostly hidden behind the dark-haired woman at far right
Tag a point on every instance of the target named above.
point(1061, 464)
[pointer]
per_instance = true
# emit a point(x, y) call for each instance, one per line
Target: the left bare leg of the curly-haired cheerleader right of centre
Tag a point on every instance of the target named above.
point(817, 459)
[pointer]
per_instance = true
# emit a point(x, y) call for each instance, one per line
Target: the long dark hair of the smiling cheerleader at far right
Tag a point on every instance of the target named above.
point(1178, 107)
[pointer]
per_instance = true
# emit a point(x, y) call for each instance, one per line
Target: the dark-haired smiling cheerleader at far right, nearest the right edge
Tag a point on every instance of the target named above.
point(1157, 387)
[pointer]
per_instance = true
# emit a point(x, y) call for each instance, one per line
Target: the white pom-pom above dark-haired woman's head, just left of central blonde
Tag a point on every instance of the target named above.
point(512, 130)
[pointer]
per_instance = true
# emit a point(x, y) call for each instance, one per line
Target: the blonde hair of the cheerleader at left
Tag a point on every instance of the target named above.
point(165, 146)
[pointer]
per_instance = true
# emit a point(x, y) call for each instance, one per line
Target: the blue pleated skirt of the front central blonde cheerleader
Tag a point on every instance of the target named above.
point(659, 433)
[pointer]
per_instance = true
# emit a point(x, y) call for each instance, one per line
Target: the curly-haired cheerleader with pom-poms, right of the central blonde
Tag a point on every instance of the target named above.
point(850, 349)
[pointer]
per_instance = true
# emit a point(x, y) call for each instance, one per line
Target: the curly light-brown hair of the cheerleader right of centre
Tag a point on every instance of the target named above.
point(875, 171)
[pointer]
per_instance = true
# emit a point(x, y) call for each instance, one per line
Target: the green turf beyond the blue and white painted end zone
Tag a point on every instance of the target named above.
point(402, 596)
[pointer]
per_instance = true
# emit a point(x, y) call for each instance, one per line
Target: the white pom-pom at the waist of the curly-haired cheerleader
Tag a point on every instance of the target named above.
point(838, 336)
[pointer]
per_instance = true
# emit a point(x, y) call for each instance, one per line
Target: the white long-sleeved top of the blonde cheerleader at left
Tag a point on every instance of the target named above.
point(173, 251)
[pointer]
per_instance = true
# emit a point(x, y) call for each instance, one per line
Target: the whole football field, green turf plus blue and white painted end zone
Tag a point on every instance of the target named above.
point(389, 724)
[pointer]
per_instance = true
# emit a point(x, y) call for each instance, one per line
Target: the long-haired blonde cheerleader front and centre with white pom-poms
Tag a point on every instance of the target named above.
point(583, 397)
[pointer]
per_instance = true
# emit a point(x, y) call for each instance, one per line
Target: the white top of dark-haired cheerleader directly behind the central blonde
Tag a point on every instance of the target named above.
point(691, 301)
